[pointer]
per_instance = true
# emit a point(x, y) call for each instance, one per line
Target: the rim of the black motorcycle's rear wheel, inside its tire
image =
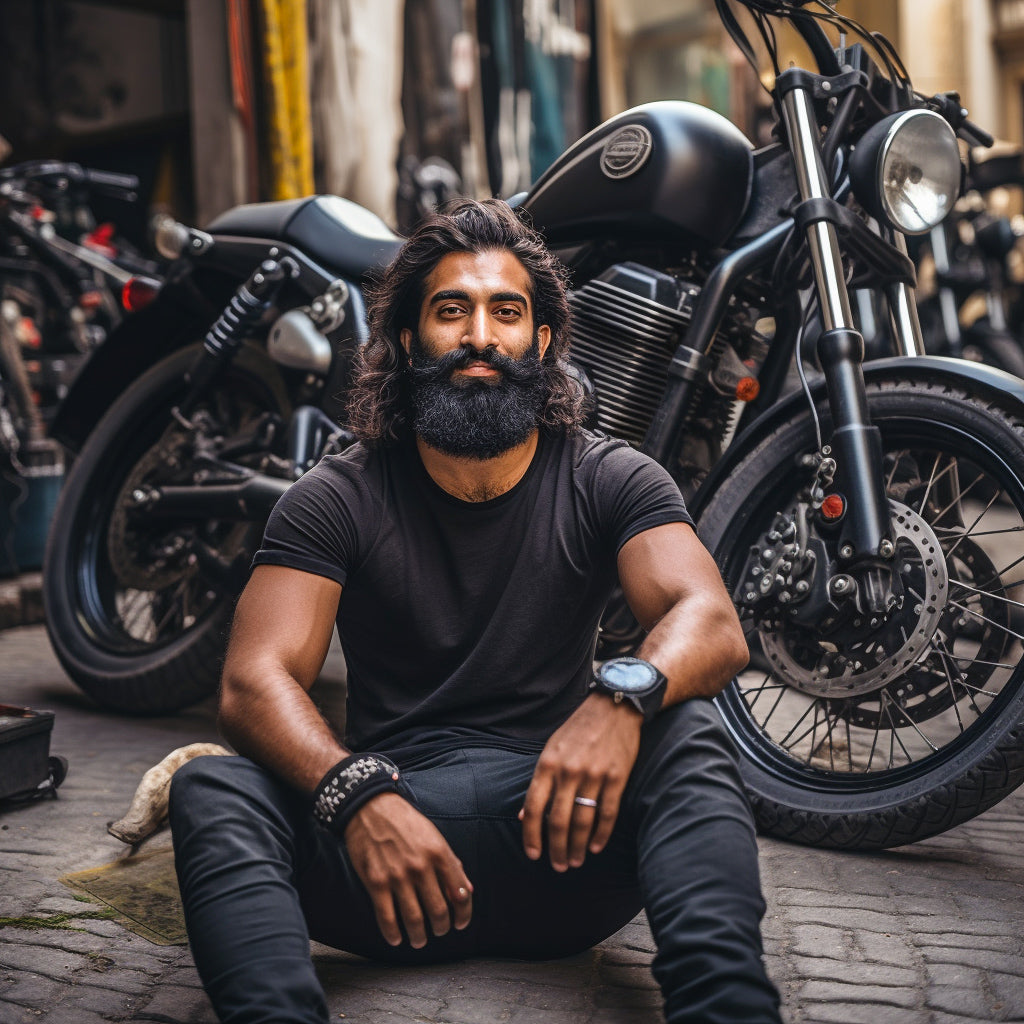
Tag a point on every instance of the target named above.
point(140, 586)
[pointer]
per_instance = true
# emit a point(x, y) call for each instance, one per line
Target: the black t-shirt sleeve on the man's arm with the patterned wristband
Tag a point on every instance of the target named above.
point(314, 527)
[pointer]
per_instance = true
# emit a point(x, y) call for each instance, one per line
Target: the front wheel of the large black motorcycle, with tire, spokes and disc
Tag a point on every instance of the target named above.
point(923, 738)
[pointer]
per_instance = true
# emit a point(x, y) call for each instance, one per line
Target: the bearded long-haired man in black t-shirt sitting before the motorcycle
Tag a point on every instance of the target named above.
point(492, 798)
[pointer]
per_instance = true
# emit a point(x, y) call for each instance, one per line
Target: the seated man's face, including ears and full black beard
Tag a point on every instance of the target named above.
point(476, 359)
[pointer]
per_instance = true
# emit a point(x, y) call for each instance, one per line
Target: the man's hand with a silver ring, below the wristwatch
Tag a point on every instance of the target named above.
point(591, 757)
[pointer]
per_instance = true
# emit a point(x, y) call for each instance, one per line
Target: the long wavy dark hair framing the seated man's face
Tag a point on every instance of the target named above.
point(379, 404)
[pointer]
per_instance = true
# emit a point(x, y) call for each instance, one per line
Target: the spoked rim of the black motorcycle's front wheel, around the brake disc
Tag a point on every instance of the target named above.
point(907, 727)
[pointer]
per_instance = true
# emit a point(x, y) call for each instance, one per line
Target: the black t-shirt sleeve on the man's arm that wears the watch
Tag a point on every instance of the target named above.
point(634, 494)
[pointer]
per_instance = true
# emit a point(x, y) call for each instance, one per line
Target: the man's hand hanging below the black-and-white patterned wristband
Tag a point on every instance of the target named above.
point(409, 870)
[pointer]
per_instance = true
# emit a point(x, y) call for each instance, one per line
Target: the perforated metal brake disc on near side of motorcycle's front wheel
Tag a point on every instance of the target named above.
point(882, 653)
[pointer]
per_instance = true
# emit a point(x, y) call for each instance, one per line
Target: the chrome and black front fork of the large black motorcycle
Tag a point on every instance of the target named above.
point(866, 543)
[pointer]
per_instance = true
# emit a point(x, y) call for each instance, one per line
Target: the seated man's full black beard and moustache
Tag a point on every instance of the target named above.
point(471, 418)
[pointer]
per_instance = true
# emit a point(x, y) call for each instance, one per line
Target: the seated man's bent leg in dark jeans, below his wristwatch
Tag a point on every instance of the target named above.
point(699, 871)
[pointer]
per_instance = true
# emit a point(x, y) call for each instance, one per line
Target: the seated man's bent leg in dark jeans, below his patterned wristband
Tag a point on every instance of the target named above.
point(239, 837)
